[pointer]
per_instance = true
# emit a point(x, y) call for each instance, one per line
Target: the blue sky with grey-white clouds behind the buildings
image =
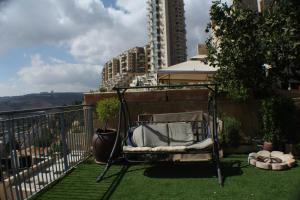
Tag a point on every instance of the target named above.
point(61, 45)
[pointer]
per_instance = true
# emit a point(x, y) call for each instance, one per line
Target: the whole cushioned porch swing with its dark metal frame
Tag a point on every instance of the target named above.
point(168, 133)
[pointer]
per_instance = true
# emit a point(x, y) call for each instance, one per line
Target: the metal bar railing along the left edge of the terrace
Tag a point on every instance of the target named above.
point(39, 146)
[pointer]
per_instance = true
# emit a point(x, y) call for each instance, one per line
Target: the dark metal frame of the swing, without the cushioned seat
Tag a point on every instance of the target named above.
point(125, 119)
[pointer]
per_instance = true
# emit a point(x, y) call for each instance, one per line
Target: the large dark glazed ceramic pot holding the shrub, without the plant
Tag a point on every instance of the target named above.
point(103, 142)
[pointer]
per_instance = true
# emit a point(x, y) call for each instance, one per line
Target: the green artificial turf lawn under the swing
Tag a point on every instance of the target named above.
point(178, 181)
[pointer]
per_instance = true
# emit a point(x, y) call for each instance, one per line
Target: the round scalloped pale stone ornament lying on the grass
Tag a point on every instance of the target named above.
point(274, 160)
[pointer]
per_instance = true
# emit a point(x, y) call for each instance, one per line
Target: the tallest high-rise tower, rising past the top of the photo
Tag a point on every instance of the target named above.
point(167, 34)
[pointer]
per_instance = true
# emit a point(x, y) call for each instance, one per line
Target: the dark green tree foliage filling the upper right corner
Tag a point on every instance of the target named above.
point(243, 41)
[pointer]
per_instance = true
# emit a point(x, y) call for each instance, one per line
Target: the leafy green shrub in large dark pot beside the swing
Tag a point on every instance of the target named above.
point(104, 138)
